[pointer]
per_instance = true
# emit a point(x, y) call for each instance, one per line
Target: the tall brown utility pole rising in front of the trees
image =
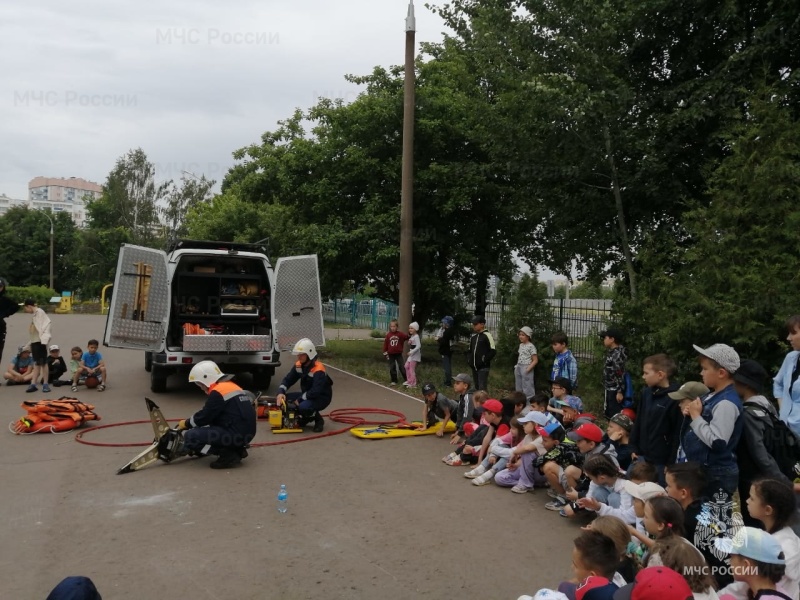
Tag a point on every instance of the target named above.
point(407, 185)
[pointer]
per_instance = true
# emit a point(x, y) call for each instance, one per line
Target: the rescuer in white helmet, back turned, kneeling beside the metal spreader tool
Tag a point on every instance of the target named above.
point(227, 422)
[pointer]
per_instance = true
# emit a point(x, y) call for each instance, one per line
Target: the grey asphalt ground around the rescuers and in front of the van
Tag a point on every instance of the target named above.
point(367, 519)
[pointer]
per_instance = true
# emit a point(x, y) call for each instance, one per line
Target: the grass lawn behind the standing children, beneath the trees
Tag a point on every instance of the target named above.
point(365, 359)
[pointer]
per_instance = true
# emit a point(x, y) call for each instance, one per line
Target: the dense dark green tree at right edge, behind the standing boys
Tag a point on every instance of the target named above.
point(730, 274)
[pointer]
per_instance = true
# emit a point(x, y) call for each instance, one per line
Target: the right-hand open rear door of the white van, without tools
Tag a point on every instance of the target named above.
point(296, 302)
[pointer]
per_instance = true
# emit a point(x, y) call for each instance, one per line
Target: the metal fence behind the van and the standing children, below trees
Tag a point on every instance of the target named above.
point(579, 319)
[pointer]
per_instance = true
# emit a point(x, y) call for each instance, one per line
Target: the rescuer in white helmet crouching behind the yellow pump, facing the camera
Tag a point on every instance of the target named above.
point(315, 385)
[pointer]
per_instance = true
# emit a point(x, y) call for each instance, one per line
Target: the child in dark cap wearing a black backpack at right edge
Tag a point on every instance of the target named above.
point(767, 447)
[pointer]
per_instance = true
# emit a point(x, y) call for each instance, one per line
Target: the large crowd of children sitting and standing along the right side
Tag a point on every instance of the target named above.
point(660, 482)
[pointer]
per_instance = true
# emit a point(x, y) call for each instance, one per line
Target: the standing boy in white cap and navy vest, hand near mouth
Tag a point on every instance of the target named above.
point(712, 424)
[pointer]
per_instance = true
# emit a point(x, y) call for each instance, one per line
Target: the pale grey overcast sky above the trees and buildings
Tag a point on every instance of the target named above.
point(85, 81)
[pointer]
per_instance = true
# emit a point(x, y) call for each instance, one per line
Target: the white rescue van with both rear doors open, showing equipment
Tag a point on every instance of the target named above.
point(219, 301)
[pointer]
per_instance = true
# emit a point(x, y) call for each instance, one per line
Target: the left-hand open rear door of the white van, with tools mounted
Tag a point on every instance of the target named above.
point(137, 317)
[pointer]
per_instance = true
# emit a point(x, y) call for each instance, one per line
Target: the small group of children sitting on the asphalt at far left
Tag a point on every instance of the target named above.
point(87, 368)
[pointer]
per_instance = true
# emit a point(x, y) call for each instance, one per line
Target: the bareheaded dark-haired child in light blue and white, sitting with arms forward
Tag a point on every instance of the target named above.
point(606, 495)
